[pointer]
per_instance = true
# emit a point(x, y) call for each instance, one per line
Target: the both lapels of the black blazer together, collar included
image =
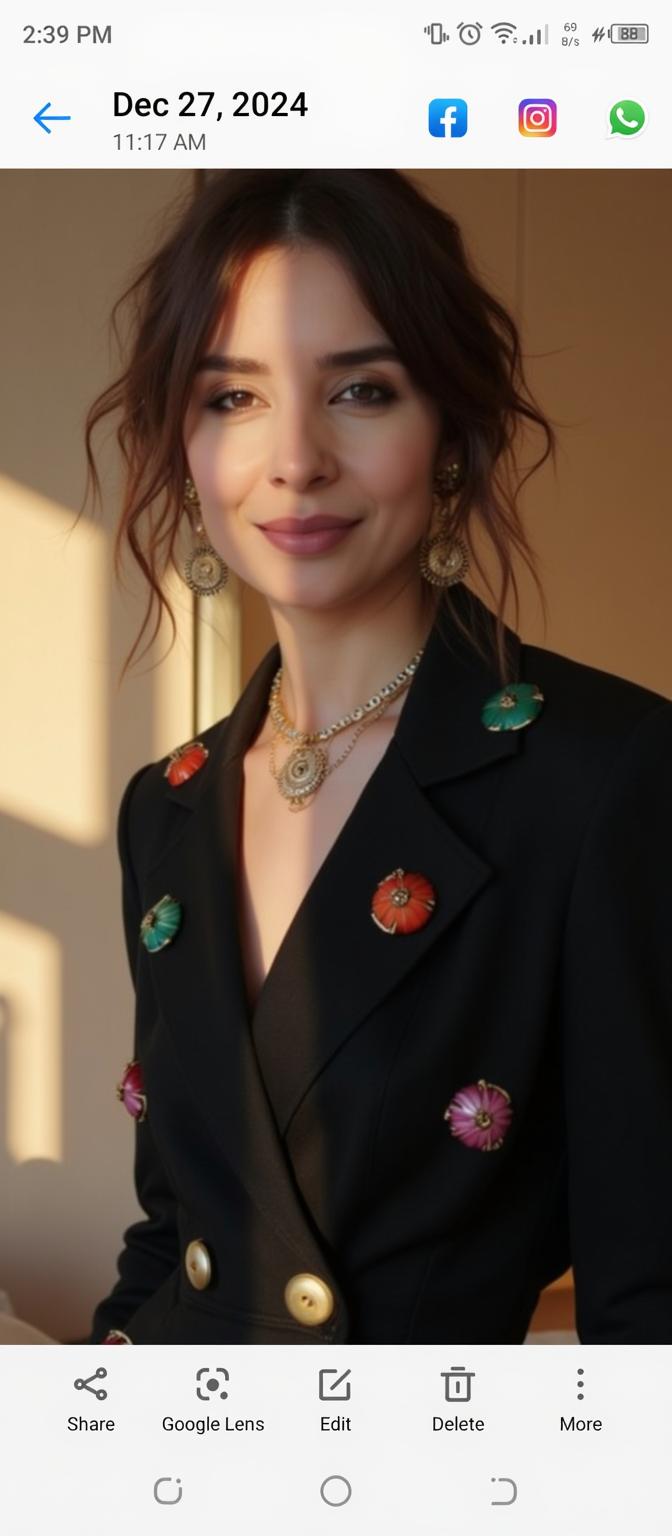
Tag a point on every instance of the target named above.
point(335, 965)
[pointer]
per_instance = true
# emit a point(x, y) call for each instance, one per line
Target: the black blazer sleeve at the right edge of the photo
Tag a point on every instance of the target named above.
point(618, 1021)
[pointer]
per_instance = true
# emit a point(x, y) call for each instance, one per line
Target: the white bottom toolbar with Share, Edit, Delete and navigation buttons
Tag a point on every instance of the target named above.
point(375, 1438)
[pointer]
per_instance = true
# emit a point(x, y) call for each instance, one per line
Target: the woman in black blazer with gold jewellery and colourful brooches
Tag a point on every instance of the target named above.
point(400, 925)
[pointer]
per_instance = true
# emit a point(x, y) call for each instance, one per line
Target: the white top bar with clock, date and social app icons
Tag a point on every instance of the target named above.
point(381, 88)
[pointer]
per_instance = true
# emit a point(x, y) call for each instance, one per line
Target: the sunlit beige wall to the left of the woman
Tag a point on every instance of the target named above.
point(70, 743)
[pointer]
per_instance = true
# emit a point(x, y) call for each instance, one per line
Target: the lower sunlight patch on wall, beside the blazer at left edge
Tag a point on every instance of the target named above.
point(31, 1045)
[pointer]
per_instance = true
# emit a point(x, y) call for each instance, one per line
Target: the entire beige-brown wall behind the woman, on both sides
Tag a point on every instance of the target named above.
point(584, 262)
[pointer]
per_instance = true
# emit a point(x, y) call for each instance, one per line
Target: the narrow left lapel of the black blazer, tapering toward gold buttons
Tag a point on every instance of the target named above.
point(200, 982)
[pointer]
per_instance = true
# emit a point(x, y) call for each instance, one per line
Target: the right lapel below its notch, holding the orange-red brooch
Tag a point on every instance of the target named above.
point(335, 964)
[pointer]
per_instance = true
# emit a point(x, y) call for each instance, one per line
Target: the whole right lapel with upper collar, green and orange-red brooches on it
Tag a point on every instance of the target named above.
point(335, 964)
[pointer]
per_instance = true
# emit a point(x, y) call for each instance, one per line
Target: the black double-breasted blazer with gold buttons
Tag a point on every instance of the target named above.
point(312, 1137)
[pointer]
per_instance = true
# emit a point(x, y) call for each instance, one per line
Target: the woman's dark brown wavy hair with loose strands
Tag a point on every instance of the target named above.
point(407, 257)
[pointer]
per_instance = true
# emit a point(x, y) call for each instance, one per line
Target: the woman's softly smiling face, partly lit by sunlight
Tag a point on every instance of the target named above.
point(285, 429)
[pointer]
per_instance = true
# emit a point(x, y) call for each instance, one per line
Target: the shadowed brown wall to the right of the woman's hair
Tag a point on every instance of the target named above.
point(585, 259)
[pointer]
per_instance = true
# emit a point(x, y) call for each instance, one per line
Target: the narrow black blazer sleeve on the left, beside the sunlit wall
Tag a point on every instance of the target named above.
point(151, 1246)
